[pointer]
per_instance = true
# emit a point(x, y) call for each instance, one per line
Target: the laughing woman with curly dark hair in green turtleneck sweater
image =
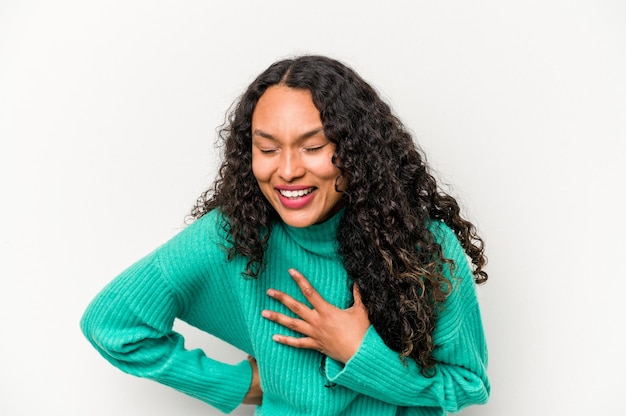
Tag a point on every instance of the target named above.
point(324, 251)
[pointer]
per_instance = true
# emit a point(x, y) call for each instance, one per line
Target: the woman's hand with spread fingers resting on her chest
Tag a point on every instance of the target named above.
point(335, 332)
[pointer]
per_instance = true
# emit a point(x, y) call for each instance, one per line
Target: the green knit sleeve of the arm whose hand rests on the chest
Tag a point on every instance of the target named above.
point(460, 351)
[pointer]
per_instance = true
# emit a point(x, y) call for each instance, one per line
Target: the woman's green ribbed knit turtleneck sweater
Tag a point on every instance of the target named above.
point(189, 278)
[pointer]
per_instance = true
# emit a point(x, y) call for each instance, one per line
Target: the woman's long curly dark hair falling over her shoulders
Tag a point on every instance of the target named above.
point(390, 201)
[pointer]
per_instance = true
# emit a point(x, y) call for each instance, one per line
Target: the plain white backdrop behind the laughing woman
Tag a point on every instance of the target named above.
point(108, 111)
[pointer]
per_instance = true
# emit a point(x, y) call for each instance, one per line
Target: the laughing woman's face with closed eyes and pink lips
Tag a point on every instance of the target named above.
point(291, 157)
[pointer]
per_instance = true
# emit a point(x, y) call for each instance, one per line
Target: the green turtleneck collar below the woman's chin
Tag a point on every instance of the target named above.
point(320, 239)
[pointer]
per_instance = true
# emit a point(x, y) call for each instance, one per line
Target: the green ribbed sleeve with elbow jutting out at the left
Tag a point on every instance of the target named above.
point(130, 324)
